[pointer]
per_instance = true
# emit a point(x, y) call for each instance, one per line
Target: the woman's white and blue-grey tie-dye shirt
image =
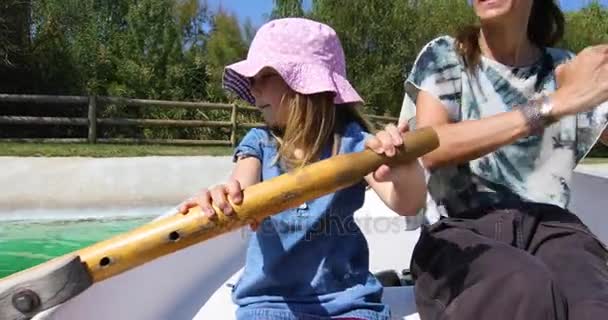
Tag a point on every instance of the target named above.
point(536, 168)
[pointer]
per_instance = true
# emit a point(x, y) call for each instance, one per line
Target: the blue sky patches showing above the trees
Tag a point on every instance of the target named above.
point(258, 10)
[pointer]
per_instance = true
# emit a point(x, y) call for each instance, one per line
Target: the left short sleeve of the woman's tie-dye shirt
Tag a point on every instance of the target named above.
point(437, 71)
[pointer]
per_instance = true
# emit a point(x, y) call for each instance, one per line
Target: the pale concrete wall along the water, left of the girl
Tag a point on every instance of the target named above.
point(28, 183)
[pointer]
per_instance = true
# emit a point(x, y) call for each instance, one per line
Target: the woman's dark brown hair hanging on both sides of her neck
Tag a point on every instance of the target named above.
point(545, 29)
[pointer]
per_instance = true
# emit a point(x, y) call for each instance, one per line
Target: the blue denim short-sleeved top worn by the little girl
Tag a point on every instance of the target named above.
point(309, 262)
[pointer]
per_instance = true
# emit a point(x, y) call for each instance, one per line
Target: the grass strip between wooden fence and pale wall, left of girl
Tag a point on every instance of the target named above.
point(106, 150)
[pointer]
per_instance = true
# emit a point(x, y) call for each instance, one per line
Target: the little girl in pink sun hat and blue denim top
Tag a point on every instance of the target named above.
point(307, 262)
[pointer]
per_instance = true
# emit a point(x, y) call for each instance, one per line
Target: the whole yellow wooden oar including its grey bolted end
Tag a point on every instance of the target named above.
point(28, 292)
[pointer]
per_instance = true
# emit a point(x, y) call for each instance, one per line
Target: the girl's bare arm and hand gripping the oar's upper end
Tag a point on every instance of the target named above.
point(402, 188)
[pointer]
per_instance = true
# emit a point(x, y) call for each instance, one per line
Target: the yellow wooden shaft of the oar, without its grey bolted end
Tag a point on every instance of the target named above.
point(150, 241)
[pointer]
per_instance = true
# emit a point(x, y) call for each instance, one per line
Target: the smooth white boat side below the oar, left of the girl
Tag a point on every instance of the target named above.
point(169, 288)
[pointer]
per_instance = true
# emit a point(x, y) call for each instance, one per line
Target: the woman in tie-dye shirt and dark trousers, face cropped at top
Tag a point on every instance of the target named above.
point(509, 140)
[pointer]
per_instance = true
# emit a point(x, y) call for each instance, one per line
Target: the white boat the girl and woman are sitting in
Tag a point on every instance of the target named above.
point(177, 286)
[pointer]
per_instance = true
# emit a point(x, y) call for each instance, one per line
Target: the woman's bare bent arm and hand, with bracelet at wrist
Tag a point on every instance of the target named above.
point(467, 140)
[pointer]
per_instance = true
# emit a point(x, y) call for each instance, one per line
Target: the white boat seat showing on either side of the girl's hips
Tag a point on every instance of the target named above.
point(220, 305)
